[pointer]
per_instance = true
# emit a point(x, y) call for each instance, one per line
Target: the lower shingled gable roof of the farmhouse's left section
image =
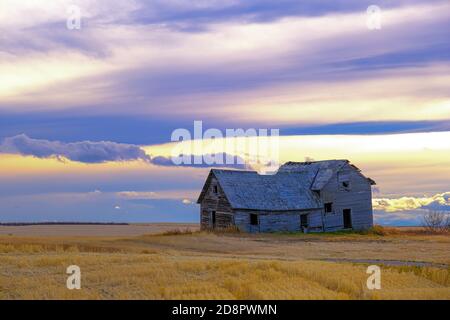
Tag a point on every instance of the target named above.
point(280, 192)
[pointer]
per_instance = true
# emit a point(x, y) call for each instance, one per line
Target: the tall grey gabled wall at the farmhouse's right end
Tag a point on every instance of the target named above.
point(358, 198)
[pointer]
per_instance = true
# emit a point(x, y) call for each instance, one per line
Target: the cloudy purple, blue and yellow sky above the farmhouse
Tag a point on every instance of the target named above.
point(87, 114)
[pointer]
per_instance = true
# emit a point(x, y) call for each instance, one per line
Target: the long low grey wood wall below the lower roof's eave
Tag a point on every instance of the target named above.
point(277, 221)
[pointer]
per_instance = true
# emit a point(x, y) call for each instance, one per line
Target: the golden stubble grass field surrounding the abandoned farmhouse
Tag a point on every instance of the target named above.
point(200, 265)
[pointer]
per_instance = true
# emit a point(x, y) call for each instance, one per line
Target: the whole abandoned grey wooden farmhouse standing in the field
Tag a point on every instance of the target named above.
point(302, 196)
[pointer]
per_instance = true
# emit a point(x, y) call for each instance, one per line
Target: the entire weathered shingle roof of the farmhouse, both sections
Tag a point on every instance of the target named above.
point(291, 188)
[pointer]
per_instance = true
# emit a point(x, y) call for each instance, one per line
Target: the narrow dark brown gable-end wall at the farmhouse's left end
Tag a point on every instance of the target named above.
point(215, 202)
